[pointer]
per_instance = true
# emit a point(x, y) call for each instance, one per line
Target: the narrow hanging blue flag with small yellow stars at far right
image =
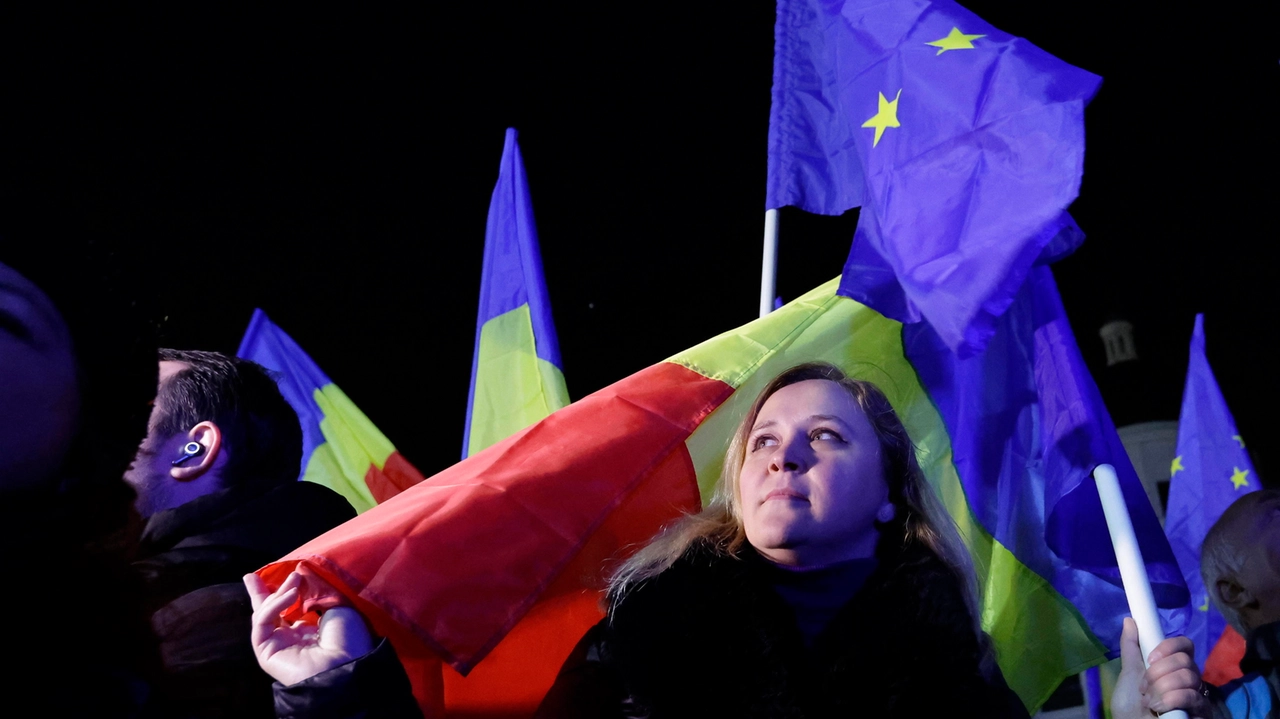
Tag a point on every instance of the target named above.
point(1210, 471)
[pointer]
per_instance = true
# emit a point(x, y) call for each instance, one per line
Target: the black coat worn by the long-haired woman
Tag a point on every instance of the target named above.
point(710, 638)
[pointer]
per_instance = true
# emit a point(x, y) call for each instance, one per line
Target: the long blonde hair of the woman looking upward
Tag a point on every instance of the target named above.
point(921, 520)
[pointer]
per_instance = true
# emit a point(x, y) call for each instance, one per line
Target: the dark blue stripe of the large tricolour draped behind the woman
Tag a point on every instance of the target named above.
point(1027, 427)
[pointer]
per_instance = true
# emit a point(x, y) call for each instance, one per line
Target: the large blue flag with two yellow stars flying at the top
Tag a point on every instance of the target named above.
point(963, 145)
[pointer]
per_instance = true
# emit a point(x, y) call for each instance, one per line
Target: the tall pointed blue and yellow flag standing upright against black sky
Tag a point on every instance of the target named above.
point(516, 373)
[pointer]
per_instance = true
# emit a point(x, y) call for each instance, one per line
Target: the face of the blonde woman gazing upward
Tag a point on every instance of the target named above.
point(813, 479)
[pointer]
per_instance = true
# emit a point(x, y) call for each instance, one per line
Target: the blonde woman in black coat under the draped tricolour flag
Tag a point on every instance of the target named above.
point(825, 579)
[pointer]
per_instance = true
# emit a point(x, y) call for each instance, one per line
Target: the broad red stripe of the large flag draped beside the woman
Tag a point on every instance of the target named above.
point(488, 539)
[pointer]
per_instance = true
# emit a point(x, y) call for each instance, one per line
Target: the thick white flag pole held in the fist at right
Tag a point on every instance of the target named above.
point(1133, 571)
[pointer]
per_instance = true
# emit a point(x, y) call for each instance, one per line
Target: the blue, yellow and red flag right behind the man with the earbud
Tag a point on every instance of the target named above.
point(341, 448)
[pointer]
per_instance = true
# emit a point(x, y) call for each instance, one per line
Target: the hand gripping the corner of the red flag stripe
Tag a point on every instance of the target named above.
point(292, 653)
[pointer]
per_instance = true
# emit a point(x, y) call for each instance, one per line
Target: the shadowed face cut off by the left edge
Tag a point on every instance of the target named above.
point(39, 393)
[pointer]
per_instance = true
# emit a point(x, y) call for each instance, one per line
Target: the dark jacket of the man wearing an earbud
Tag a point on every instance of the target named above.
point(193, 561)
